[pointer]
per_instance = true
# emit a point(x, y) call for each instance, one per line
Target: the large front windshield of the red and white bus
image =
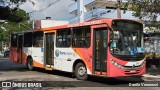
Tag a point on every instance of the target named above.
point(126, 38)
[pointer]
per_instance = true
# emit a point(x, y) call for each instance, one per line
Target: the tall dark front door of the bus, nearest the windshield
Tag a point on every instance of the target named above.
point(100, 50)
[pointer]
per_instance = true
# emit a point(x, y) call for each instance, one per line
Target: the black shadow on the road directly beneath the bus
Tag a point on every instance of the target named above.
point(95, 79)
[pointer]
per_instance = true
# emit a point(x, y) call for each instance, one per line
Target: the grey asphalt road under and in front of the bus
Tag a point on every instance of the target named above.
point(10, 71)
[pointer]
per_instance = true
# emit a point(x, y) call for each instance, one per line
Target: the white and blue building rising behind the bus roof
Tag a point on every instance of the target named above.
point(94, 9)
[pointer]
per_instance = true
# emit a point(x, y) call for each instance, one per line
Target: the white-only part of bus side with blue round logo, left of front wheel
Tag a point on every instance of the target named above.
point(64, 59)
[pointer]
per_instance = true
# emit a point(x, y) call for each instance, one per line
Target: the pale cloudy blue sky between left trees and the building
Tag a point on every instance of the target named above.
point(39, 9)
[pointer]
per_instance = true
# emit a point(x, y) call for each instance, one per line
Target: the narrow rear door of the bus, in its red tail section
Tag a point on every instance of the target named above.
point(19, 49)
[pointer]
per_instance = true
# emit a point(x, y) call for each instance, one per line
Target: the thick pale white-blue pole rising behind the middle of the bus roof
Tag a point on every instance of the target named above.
point(80, 10)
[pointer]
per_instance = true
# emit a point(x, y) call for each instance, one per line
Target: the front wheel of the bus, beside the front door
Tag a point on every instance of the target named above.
point(81, 71)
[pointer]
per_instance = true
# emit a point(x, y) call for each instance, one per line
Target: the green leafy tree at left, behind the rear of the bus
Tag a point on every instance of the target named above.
point(17, 21)
